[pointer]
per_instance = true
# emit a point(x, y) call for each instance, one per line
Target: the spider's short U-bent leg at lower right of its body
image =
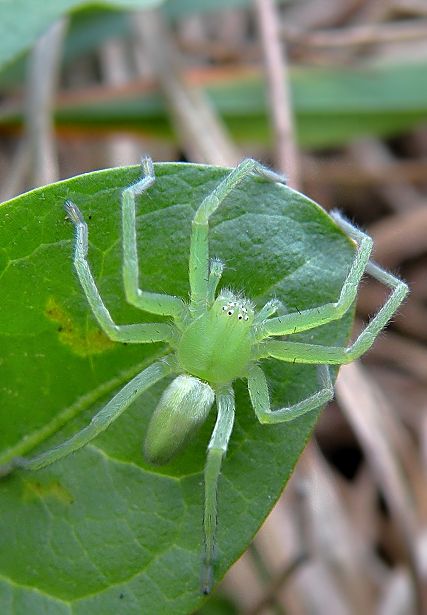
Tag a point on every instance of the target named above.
point(258, 392)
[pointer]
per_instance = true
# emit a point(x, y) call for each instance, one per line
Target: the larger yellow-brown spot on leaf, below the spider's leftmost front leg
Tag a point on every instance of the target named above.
point(81, 342)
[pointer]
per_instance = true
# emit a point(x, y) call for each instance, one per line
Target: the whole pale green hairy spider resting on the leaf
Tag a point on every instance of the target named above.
point(214, 339)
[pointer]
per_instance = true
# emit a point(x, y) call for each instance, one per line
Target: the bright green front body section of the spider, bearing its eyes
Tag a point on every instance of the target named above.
point(216, 347)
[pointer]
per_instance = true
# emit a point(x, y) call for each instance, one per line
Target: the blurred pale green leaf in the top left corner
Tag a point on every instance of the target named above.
point(23, 21)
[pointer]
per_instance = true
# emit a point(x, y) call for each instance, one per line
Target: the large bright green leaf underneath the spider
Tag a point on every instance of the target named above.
point(102, 531)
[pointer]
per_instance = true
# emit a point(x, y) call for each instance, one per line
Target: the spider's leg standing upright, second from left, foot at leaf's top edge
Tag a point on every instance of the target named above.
point(156, 303)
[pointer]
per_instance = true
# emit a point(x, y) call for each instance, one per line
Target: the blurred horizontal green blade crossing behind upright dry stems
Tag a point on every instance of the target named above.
point(332, 106)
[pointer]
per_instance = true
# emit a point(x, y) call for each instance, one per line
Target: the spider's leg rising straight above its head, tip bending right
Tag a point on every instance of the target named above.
point(199, 247)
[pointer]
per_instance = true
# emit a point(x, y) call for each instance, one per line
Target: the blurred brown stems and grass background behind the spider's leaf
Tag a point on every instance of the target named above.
point(333, 93)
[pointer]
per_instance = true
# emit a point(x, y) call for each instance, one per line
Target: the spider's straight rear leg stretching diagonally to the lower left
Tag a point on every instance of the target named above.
point(99, 423)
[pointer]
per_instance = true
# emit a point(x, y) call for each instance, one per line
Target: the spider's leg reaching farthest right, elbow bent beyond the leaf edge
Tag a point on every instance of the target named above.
point(299, 352)
